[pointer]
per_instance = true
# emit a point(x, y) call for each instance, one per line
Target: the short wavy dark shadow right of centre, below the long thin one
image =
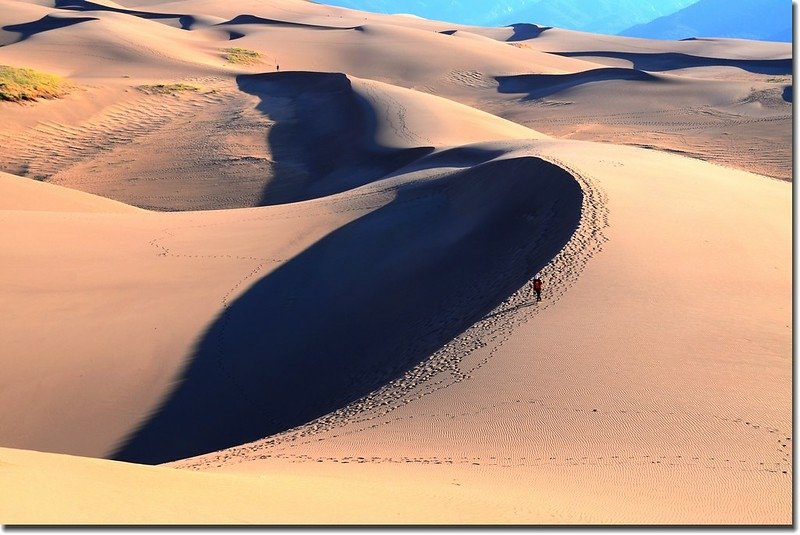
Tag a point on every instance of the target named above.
point(543, 85)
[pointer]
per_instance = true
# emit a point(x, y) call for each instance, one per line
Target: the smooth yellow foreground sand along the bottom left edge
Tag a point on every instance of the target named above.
point(93, 491)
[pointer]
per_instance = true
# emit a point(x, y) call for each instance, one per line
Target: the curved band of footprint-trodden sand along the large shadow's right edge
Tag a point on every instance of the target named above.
point(452, 363)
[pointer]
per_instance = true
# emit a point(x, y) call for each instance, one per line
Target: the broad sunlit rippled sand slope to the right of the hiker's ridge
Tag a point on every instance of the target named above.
point(690, 402)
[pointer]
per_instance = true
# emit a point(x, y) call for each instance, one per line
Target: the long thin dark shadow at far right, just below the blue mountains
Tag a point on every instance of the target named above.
point(668, 61)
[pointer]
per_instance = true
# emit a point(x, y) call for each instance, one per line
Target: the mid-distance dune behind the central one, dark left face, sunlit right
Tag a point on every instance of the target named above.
point(333, 134)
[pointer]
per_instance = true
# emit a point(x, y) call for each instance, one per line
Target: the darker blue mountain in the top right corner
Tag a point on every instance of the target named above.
point(765, 20)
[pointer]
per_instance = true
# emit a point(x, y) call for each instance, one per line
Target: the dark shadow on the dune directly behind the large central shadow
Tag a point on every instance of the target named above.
point(323, 138)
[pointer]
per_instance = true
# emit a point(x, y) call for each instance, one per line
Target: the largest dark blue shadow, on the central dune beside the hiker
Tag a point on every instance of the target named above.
point(363, 305)
